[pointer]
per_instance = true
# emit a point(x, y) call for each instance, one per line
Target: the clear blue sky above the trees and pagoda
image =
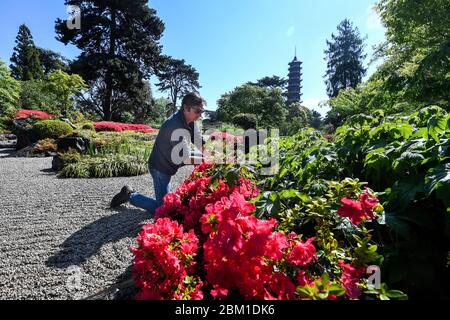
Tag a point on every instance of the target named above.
point(229, 42)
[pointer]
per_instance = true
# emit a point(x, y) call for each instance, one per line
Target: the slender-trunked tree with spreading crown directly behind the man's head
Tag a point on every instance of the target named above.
point(178, 78)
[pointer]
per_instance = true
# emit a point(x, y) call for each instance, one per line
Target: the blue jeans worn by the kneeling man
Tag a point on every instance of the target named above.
point(161, 183)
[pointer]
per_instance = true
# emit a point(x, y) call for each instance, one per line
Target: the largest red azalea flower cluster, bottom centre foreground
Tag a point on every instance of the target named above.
point(240, 241)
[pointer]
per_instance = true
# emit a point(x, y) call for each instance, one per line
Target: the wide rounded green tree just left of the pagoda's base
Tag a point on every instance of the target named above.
point(266, 104)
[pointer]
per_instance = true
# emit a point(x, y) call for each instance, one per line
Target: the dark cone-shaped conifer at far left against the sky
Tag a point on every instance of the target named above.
point(25, 63)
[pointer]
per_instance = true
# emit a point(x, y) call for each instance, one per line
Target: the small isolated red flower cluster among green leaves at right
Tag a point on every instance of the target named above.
point(358, 211)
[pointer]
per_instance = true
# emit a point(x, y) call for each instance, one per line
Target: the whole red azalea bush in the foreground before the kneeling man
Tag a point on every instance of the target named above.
point(225, 237)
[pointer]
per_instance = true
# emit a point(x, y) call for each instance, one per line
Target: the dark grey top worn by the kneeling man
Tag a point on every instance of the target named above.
point(171, 147)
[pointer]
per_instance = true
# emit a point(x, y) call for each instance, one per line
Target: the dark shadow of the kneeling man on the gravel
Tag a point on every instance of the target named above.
point(88, 241)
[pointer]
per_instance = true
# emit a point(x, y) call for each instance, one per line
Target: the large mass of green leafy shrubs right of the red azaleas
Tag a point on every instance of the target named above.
point(406, 159)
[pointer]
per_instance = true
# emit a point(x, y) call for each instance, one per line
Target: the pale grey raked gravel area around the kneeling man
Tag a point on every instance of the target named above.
point(58, 238)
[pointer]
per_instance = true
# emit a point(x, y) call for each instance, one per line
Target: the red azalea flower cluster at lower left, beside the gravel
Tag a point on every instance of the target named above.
point(164, 257)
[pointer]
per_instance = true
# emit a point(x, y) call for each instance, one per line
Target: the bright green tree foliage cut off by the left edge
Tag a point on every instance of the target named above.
point(9, 91)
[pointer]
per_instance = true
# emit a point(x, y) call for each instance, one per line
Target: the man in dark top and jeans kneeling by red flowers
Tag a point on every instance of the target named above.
point(170, 152)
